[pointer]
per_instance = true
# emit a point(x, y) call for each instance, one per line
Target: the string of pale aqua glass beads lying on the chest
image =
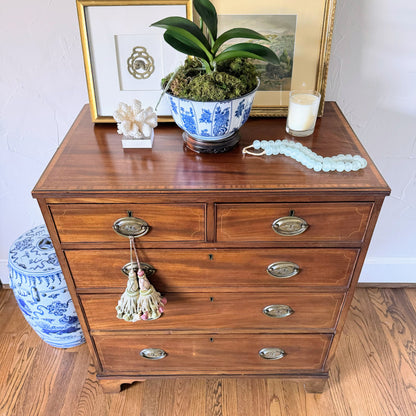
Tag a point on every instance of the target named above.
point(306, 156)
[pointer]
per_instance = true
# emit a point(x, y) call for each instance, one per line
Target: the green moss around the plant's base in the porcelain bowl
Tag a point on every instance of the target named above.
point(232, 79)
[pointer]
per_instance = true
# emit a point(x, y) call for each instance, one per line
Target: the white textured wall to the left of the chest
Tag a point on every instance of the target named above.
point(42, 87)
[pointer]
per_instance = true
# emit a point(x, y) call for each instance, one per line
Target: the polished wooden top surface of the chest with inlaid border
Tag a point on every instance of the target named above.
point(91, 161)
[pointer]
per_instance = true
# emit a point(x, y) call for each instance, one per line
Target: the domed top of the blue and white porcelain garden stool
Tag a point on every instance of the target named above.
point(33, 253)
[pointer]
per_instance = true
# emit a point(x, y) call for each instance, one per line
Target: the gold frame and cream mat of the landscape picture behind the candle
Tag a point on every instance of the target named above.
point(311, 49)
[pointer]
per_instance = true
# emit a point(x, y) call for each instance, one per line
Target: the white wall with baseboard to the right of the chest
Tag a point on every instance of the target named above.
point(373, 79)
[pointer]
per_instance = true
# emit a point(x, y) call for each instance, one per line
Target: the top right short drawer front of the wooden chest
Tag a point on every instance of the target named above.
point(326, 222)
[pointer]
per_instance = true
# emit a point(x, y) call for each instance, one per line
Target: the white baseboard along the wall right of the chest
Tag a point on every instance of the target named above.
point(389, 270)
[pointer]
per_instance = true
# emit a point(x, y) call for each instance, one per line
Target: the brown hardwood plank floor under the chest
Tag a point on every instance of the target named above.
point(373, 374)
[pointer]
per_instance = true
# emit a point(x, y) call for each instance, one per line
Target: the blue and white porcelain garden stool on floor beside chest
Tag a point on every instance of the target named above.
point(40, 290)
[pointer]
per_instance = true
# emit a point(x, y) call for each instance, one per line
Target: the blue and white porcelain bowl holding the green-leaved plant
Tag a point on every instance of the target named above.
point(211, 120)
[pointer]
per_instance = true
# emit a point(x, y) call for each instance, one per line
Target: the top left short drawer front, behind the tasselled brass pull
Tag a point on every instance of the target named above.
point(94, 222)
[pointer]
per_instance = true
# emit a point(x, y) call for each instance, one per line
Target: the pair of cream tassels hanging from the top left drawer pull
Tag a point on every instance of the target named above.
point(140, 300)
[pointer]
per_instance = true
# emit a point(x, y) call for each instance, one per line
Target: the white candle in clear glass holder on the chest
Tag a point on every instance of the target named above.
point(302, 113)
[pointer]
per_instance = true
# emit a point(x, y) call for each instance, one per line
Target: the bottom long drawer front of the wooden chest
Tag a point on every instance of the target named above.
point(211, 354)
